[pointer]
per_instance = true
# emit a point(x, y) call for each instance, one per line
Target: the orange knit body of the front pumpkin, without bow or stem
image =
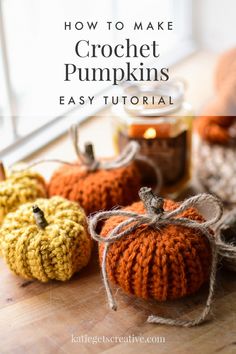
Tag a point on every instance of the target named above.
point(166, 264)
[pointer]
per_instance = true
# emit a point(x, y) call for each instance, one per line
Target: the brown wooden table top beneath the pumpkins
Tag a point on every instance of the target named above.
point(43, 318)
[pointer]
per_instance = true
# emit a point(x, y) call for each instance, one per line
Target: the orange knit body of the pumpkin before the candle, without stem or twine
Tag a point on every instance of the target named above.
point(96, 190)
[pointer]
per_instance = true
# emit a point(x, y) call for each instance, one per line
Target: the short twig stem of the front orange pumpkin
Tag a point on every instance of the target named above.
point(152, 203)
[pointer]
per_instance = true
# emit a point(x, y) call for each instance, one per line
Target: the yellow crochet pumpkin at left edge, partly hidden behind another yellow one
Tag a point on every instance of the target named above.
point(20, 187)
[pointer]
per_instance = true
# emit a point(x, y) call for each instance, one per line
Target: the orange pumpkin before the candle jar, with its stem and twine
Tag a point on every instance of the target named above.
point(97, 185)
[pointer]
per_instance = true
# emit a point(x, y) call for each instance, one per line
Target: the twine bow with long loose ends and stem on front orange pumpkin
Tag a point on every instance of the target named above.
point(156, 218)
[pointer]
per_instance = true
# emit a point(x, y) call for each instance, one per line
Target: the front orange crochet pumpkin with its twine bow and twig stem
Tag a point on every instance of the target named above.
point(159, 249)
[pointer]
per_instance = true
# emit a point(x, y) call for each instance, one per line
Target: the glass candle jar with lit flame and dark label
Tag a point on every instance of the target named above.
point(158, 118)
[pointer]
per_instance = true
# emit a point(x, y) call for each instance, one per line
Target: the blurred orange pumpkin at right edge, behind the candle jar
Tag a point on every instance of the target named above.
point(218, 117)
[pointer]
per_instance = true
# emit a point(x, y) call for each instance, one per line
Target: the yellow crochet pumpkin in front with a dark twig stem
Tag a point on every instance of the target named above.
point(46, 240)
